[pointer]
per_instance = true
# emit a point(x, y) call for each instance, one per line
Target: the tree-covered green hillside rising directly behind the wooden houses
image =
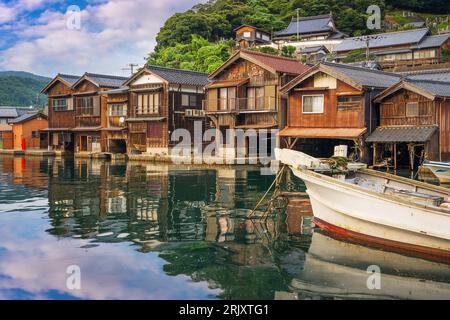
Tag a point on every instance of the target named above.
point(200, 38)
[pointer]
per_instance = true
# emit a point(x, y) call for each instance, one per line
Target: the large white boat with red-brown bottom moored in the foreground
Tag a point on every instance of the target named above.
point(380, 208)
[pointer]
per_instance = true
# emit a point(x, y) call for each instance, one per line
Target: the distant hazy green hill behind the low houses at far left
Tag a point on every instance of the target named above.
point(22, 89)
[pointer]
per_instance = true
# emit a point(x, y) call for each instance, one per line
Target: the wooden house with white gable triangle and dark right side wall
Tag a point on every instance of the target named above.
point(161, 101)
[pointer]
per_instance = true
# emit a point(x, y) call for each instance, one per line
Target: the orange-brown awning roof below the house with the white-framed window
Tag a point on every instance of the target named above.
point(324, 133)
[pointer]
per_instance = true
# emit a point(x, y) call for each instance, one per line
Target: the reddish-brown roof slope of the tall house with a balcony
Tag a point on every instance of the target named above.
point(279, 64)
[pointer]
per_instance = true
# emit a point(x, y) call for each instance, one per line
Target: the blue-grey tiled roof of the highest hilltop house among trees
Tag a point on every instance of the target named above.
point(307, 25)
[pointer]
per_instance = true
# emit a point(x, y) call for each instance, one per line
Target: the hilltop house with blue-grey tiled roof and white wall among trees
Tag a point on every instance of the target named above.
point(311, 31)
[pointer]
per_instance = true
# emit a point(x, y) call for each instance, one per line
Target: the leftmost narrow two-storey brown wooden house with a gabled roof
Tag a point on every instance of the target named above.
point(61, 114)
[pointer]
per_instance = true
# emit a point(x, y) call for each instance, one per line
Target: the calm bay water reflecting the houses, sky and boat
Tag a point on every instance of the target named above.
point(141, 231)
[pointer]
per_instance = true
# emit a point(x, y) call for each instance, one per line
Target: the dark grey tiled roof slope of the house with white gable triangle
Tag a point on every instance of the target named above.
point(183, 77)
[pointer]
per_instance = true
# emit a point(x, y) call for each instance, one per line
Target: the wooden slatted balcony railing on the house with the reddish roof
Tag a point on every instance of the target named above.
point(269, 104)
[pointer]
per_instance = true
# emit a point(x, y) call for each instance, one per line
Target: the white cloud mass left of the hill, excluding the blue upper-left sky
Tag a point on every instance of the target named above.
point(112, 34)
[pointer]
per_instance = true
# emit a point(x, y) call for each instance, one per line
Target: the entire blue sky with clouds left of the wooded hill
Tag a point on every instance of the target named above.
point(49, 36)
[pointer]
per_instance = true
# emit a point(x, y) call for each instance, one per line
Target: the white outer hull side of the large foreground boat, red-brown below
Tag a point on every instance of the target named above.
point(358, 214)
